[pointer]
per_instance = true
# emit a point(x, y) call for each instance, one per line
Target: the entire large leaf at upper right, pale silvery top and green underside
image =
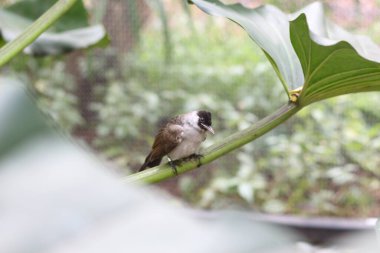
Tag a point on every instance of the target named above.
point(317, 56)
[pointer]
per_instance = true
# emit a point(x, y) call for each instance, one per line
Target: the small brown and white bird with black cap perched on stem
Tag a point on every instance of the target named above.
point(179, 138)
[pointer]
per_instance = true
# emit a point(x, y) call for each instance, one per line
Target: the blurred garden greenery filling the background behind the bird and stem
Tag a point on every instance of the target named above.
point(165, 59)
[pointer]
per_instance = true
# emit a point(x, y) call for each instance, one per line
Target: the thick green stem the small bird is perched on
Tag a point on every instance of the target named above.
point(217, 150)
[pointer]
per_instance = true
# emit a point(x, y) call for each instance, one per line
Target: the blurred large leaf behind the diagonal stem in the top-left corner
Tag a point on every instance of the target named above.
point(69, 33)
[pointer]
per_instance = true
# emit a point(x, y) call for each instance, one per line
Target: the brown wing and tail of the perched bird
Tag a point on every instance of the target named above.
point(166, 140)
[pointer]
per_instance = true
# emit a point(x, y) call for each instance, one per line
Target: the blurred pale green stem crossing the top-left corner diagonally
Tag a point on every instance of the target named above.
point(15, 46)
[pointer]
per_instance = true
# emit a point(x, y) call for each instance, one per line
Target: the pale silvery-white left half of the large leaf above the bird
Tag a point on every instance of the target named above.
point(269, 28)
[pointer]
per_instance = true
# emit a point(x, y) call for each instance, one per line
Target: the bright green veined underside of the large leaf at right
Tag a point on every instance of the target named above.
point(332, 70)
